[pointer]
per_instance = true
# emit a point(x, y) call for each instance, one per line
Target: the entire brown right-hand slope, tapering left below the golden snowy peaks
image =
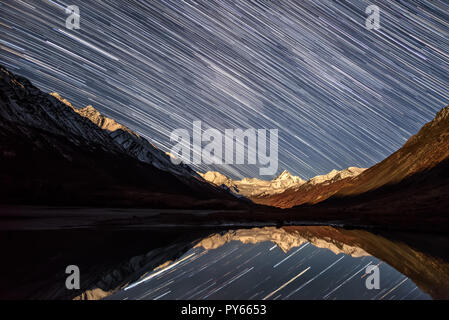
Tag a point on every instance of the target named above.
point(413, 179)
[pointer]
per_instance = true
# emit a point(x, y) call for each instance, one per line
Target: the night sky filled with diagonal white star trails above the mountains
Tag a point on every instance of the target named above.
point(339, 94)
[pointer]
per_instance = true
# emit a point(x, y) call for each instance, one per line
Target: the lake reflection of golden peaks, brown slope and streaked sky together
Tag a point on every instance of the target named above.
point(290, 263)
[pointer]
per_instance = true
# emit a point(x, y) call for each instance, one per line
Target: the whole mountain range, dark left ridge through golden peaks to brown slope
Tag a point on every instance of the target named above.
point(53, 153)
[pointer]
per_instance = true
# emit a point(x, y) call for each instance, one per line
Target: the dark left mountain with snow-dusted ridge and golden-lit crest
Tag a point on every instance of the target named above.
point(53, 153)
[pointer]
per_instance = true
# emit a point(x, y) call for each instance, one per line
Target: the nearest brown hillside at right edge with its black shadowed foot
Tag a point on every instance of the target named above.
point(407, 190)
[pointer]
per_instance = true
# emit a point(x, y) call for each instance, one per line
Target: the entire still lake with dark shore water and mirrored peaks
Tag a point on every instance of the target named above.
point(137, 254)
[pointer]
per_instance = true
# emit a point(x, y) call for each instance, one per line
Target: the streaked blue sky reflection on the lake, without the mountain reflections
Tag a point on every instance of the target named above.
point(246, 272)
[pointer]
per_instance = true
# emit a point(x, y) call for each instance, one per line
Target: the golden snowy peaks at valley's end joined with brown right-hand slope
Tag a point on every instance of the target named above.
point(413, 179)
